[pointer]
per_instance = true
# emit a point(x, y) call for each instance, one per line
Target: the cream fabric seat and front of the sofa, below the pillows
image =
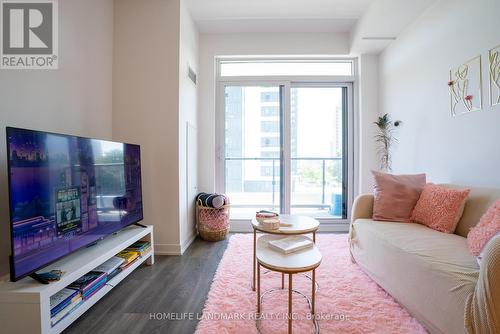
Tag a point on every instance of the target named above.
point(429, 272)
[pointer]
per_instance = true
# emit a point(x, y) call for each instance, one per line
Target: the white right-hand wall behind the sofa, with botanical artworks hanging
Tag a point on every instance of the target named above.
point(414, 72)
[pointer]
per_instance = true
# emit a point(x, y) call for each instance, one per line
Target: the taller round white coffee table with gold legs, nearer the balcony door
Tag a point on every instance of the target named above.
point(290, 225)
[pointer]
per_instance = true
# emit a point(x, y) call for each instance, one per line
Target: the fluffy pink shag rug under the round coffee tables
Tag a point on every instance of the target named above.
point(347, 301)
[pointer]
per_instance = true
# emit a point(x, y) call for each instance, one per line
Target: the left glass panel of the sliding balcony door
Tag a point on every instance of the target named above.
point(253, 146)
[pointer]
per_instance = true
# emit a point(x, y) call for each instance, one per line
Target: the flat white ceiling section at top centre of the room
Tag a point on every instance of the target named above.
point(238, 16)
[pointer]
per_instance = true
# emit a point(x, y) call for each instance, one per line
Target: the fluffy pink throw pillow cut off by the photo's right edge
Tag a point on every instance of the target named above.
point(487, 228)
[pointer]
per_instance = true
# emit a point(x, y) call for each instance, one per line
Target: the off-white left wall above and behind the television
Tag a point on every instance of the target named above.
point(74, 99)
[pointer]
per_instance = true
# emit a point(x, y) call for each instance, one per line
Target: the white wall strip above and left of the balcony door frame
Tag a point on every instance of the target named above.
point(213, 45)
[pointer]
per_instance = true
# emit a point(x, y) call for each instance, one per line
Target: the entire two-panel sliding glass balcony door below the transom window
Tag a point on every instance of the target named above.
point(285, 148)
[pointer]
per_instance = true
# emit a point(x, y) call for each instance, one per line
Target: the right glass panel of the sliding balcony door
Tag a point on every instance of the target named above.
point(317, 150)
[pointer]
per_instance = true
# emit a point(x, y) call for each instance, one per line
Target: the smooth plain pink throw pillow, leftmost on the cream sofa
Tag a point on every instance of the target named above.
point(396, 196)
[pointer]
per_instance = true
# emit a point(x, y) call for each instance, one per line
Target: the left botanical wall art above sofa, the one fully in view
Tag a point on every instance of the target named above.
point(466, 87)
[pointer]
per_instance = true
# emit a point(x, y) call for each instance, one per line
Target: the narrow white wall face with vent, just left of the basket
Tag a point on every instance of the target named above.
point(188, 104)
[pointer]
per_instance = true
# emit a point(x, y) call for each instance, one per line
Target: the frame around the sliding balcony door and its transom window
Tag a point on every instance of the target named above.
point(351, 126)
